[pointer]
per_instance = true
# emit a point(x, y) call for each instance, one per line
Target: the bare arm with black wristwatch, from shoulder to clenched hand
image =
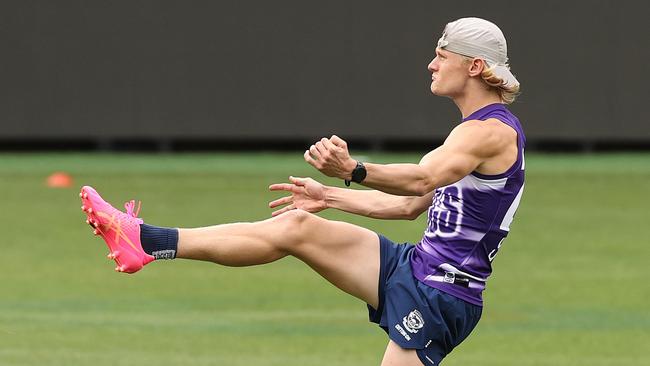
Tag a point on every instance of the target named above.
point(467, 147)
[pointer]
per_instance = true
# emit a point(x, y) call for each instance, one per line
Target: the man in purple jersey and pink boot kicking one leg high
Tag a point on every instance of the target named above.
point(428, 296)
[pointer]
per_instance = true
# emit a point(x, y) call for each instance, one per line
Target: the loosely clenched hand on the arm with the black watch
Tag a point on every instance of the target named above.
point(331, 157)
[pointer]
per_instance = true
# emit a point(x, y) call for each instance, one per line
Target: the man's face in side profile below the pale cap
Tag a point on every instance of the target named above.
point(449, 73)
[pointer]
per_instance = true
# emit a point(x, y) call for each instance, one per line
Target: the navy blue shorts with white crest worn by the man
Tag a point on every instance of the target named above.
point(417, 316)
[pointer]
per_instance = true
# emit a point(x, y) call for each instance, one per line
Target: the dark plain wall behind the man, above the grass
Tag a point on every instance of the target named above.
point(211, 75)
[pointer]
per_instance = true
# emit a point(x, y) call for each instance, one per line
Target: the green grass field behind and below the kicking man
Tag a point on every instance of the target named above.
point(570, 285)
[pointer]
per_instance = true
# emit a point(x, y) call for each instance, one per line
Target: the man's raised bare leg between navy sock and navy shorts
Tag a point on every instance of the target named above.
point(346, 255)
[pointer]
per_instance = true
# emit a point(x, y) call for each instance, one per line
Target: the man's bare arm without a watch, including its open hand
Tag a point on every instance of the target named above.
point(309, 195)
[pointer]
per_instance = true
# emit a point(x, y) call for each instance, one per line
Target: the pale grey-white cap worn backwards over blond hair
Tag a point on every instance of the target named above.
point(476, 37)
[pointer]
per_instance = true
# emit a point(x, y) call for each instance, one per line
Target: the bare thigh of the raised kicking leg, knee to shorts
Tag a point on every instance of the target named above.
point(346, 255)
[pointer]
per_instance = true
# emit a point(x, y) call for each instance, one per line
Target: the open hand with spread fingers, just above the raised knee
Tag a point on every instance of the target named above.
point(306, 194)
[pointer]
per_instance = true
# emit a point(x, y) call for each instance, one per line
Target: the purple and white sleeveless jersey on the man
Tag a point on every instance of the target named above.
point(468, 221)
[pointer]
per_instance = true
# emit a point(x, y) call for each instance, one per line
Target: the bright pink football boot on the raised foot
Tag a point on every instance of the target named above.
point(120, 231)
